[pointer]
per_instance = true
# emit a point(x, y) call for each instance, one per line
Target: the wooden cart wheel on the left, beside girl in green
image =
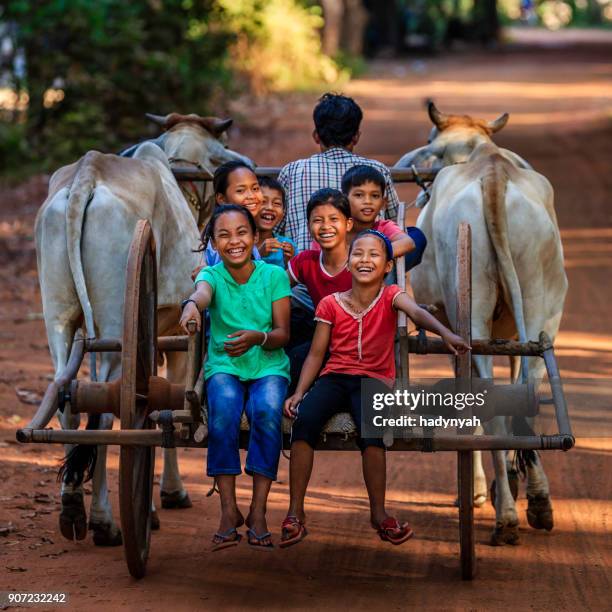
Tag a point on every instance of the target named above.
point(138, 362)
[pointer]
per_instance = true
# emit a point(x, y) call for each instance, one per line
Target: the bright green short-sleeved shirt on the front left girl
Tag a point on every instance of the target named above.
point(247, 306)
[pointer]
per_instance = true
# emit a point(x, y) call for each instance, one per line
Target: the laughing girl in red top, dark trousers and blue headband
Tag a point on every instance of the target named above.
point(358, 328)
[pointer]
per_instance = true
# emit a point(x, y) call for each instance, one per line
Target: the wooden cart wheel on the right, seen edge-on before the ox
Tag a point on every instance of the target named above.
point(463, 371)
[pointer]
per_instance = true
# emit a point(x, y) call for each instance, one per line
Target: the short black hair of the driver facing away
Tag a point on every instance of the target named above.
point(337, 119)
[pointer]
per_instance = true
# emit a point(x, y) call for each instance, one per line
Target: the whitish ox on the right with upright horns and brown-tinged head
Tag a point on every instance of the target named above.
point(518, 279)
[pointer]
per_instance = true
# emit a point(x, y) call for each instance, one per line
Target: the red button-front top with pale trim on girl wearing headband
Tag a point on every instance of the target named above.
point(361, 344)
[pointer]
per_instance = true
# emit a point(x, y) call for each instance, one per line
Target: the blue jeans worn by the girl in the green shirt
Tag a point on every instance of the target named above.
point(262, 400)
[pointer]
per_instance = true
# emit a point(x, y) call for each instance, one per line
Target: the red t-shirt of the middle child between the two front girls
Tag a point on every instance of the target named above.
point(307, 268)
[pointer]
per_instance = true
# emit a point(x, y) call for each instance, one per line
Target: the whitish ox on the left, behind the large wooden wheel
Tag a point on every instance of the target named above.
point(83, 233)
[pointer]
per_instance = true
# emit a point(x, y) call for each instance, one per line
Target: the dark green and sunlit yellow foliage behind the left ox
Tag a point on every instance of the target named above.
point(93, 68)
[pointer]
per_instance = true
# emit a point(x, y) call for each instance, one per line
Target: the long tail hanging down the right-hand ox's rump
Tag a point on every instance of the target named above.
point(494, 184)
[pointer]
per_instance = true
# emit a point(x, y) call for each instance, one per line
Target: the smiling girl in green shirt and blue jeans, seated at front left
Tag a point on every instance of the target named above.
point(246, 369)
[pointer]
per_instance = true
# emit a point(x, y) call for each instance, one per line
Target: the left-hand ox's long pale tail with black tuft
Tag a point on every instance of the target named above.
point(80, 462)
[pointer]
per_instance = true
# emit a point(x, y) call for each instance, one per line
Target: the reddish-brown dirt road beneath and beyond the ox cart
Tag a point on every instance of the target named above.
point(560, 104)
